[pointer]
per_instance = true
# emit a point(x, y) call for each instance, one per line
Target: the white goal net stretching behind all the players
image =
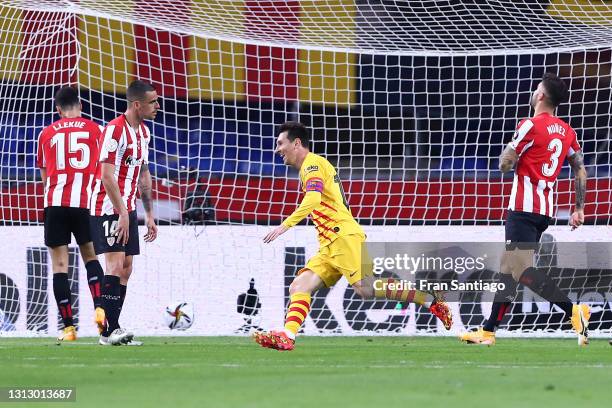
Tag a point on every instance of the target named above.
point(412, 102)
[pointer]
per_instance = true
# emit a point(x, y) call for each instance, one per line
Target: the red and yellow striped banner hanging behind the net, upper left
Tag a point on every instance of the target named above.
point(102, 54)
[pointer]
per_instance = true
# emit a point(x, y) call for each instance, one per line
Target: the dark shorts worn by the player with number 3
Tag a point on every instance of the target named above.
point(524, 229)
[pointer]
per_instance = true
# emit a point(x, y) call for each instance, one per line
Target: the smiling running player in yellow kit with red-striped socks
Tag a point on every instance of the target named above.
point(340, 239)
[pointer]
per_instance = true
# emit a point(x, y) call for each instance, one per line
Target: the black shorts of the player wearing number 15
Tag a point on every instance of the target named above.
point(61, 222)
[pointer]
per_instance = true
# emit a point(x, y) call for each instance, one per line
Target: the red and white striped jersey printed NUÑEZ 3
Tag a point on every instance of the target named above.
point(542, 143)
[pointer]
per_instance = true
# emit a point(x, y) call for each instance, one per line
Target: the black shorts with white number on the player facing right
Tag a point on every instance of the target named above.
point(104, 239)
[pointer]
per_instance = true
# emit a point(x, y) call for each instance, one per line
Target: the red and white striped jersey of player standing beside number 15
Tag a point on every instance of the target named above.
point(127, 148)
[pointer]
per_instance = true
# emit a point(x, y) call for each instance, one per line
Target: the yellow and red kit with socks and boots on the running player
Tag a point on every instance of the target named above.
point(341, 250)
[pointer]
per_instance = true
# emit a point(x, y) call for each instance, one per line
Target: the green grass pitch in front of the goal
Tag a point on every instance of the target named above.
point(321, 372)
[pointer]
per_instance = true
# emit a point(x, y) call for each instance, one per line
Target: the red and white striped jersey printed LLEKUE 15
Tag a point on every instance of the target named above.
point(68, 151)
